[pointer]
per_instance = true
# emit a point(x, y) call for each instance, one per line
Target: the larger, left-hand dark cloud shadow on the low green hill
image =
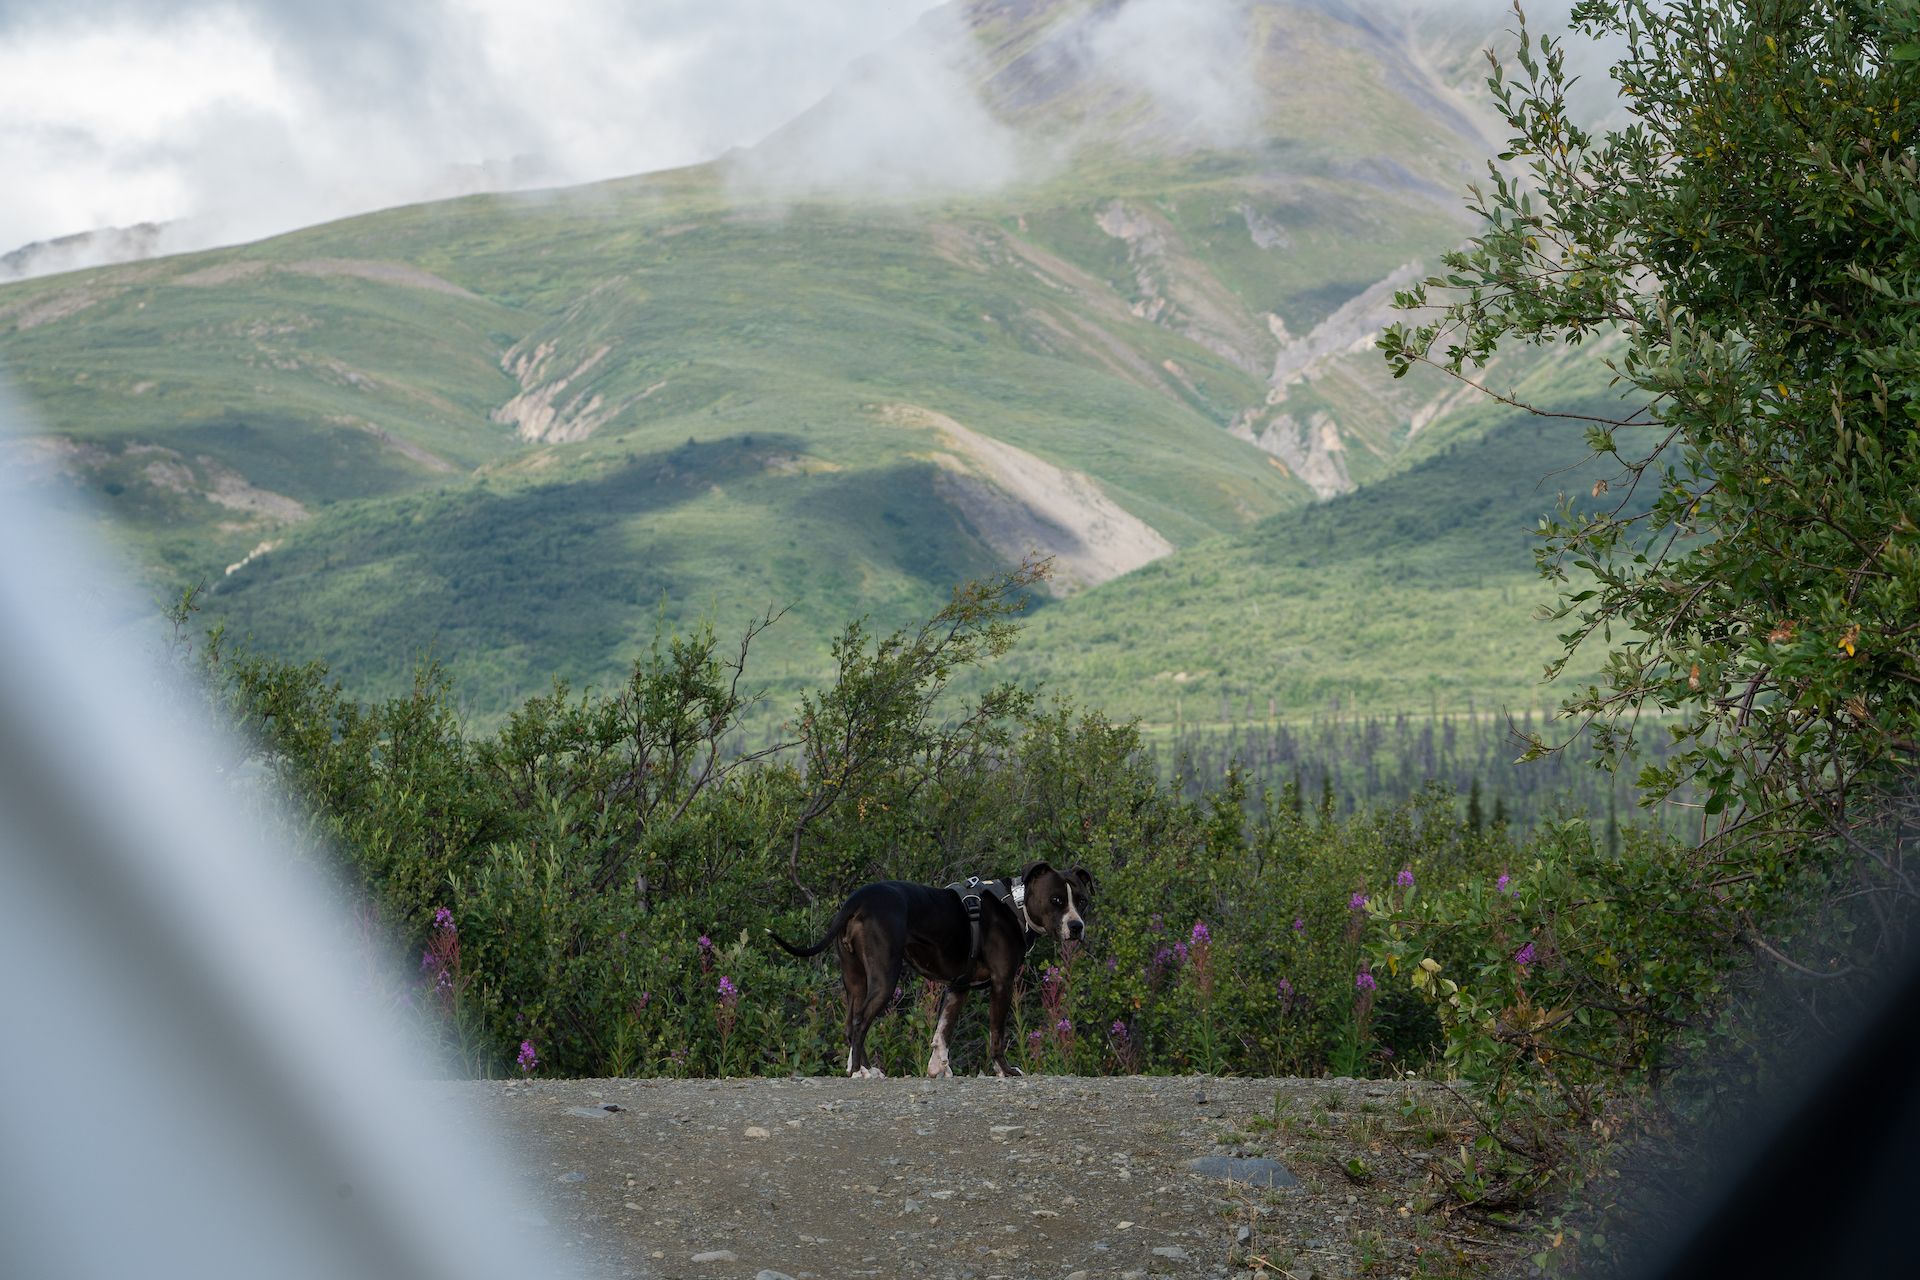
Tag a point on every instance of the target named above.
point(544, 575)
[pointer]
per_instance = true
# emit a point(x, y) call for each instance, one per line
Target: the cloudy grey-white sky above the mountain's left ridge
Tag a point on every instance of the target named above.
point(258, 116)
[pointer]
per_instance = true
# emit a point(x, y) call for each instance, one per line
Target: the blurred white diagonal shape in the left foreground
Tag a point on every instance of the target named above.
point(189, 1081)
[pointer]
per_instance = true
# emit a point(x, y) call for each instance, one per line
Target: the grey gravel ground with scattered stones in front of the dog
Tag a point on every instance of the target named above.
point(984, 1179)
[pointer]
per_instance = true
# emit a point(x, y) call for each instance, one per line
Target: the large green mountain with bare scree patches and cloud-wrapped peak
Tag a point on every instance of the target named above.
point(1042, 277)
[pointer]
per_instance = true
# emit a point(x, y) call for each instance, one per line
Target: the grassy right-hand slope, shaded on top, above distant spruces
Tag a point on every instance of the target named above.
point(1412, 594)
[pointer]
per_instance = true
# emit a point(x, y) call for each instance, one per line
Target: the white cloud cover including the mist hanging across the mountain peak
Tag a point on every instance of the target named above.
point(226, 122)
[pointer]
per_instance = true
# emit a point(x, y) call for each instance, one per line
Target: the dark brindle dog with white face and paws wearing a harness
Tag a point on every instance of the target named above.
point(894, 924)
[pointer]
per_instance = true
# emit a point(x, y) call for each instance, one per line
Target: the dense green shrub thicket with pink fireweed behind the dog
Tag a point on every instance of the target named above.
point(592, 886)
